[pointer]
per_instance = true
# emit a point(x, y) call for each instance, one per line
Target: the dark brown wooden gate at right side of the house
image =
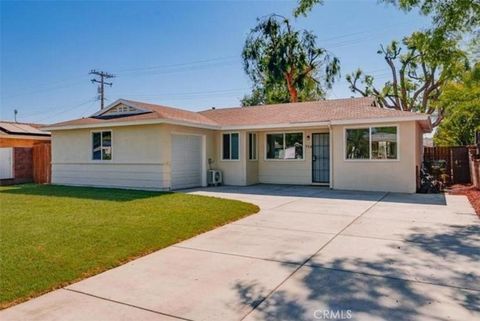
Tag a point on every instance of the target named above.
point(456, 161)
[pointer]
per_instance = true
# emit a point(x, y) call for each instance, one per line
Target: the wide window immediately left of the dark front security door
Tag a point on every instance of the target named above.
point(285, 146)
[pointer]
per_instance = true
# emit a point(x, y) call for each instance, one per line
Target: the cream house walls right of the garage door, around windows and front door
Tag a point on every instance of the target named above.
point(376, 175)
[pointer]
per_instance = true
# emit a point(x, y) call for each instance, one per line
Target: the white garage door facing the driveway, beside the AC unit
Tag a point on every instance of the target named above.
point(186, 161)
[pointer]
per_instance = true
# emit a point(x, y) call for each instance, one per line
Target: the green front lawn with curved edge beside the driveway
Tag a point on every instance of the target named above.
point(53, 235)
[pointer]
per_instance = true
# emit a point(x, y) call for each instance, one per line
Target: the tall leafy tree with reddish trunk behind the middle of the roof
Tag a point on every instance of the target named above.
point(285, 64)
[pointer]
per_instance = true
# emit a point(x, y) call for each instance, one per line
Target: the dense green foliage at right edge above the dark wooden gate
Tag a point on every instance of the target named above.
point(462, 111)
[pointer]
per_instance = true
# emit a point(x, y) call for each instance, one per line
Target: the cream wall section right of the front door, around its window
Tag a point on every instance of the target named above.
point(377, 175)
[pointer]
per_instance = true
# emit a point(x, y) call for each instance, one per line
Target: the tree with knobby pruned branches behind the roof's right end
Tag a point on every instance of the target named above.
point(420, 67)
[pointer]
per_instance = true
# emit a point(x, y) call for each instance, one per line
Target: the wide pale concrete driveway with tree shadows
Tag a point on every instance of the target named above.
point(310, 254)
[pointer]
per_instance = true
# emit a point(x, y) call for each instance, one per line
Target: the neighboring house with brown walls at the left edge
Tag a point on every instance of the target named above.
point(16, 151)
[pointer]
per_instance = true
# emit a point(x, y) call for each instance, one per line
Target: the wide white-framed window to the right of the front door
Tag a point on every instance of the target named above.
point(372, 143)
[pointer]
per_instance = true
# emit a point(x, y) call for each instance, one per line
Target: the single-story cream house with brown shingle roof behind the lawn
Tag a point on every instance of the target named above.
point(342, 143)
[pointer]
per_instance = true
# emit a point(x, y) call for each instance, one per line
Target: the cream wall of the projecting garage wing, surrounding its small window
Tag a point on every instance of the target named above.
point(140, 156)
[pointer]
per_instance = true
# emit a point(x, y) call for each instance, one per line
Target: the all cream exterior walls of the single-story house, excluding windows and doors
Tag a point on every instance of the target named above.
point(142, 159)
